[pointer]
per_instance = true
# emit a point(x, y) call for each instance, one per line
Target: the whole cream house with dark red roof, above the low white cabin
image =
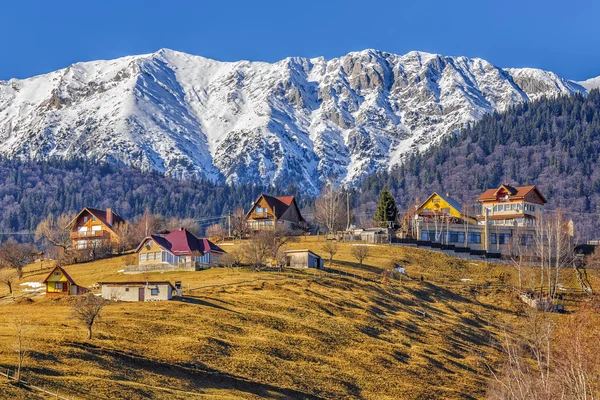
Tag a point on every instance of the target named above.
point(177, 249)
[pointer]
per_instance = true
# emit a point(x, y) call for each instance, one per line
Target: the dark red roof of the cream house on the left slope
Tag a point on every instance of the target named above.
point(182, 242)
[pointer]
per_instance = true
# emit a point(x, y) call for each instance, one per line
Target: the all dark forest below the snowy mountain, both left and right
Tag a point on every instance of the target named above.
point(553, 143)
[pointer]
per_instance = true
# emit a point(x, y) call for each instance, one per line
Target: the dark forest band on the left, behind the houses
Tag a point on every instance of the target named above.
point(30, 191)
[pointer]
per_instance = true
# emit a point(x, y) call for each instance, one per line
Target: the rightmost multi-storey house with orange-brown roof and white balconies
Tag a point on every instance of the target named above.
point(511, 206)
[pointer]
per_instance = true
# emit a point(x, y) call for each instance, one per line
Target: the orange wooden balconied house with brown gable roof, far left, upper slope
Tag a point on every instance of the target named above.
point(92, 228)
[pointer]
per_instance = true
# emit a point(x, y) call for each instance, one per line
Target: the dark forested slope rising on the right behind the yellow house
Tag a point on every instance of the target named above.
point(553, 143)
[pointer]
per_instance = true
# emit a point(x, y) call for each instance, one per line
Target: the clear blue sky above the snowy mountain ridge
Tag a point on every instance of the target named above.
point(38, 36)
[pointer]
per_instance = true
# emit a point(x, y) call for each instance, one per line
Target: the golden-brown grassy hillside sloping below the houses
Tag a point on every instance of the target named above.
point(277, 335)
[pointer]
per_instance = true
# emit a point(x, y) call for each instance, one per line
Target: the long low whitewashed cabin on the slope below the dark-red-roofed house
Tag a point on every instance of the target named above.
point(137, 291)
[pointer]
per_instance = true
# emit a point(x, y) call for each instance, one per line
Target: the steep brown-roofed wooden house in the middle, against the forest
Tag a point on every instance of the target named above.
point(268, 212)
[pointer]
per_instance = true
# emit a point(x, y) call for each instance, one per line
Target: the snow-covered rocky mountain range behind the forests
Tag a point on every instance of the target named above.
point(294, 121)
